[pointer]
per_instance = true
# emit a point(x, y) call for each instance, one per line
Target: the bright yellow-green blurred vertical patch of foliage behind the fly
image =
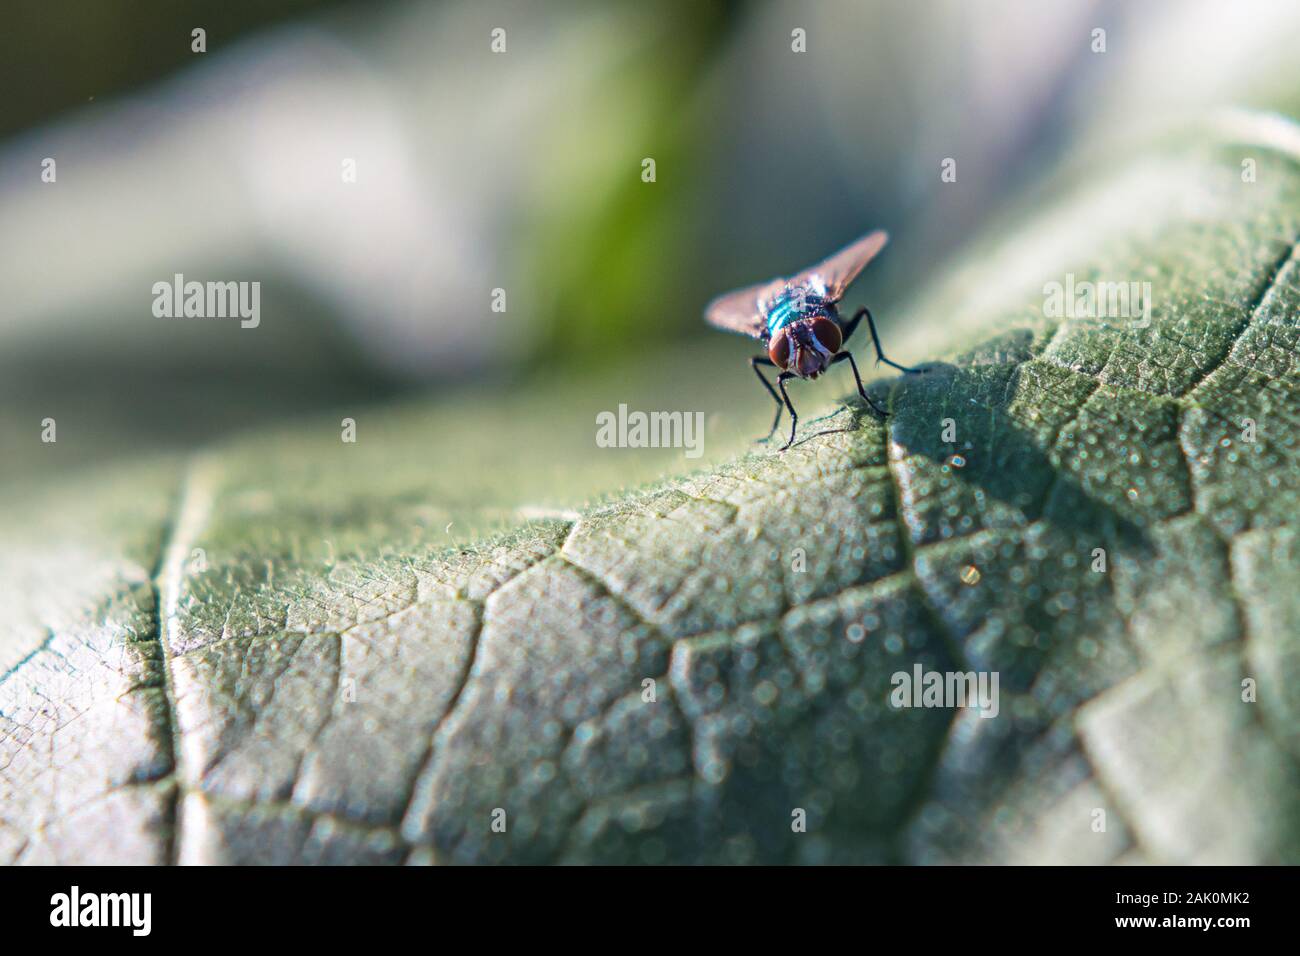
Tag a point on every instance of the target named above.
point(600, 233)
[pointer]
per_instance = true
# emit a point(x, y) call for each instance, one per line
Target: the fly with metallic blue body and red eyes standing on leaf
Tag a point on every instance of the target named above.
point(799, 322)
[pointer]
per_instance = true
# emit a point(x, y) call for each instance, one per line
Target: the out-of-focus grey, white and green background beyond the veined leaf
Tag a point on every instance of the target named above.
point(518, 171)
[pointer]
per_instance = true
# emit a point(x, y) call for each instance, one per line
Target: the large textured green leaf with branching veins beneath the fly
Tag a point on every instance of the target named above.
point(343, 678)
